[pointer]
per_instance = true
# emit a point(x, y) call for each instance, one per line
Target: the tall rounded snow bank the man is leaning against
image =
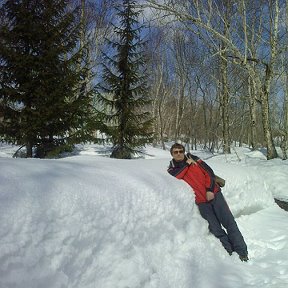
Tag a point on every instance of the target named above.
point(81, 223)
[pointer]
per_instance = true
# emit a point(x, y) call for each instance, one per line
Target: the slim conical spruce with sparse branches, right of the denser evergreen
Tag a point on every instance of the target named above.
point(123, 92)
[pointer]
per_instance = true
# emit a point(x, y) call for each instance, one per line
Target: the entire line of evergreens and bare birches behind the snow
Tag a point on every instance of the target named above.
point(210, 73)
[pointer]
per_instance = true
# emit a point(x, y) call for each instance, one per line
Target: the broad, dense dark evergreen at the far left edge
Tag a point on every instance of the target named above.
point(39, 84)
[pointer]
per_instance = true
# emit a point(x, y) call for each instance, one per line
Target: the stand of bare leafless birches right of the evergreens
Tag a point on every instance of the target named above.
point(222, 71)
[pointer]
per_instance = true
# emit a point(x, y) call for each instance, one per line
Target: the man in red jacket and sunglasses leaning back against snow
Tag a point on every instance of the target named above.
point(209, 198)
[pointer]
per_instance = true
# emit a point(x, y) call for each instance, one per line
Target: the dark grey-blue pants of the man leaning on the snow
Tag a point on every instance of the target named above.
point(217, 212)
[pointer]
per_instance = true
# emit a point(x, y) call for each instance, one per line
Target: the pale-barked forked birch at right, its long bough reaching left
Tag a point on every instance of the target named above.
point(201, 21)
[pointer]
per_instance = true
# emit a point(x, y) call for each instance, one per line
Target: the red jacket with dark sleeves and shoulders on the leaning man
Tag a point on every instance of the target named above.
point(199, 176)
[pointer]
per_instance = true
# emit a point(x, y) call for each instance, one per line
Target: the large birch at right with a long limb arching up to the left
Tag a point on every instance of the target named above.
point(198, 16)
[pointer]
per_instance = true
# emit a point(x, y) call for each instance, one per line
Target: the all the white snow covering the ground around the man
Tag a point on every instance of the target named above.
point(90, 221)
